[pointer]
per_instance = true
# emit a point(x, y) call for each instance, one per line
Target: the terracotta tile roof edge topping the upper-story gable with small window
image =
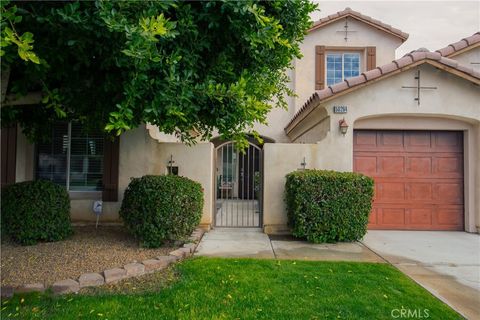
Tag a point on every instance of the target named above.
point(361, 17)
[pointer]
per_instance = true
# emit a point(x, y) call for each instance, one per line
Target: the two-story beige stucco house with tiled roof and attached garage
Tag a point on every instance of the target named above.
point(411, 123)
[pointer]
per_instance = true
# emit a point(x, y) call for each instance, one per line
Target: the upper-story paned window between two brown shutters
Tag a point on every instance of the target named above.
point(341, 66)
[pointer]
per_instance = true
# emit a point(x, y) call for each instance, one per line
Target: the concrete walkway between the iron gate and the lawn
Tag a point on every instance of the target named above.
point(253, 243)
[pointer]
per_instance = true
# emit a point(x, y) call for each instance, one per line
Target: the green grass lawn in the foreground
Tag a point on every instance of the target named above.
point(247, 289)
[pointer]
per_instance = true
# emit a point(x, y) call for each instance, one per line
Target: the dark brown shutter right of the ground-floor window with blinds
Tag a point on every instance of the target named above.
point(110, 169)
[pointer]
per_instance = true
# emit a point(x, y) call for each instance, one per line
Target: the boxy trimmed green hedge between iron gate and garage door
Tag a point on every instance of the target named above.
point(328, 206)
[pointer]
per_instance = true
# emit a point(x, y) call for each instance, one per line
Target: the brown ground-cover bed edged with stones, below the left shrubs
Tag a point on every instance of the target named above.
point(88, 250)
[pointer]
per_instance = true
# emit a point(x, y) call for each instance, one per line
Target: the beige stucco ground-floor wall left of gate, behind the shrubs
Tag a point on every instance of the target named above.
point(139, 155)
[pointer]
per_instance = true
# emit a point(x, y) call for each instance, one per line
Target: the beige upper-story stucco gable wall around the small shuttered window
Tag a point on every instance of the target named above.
point(363, 36)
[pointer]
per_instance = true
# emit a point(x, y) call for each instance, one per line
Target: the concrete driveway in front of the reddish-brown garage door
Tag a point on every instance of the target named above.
point(444, 262)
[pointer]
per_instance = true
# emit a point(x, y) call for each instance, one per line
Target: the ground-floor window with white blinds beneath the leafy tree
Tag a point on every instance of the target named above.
point(72, 158)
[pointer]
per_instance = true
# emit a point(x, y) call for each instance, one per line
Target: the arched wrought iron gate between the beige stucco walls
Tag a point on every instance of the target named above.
point(238, 186)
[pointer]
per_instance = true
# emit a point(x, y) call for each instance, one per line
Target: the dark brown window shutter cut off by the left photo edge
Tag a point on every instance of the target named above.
point(9, 154)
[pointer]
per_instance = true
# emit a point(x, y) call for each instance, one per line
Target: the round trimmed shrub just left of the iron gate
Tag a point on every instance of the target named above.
point(159, 208)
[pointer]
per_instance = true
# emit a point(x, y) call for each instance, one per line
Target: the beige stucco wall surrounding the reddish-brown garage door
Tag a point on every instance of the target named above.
point(385, 105)
